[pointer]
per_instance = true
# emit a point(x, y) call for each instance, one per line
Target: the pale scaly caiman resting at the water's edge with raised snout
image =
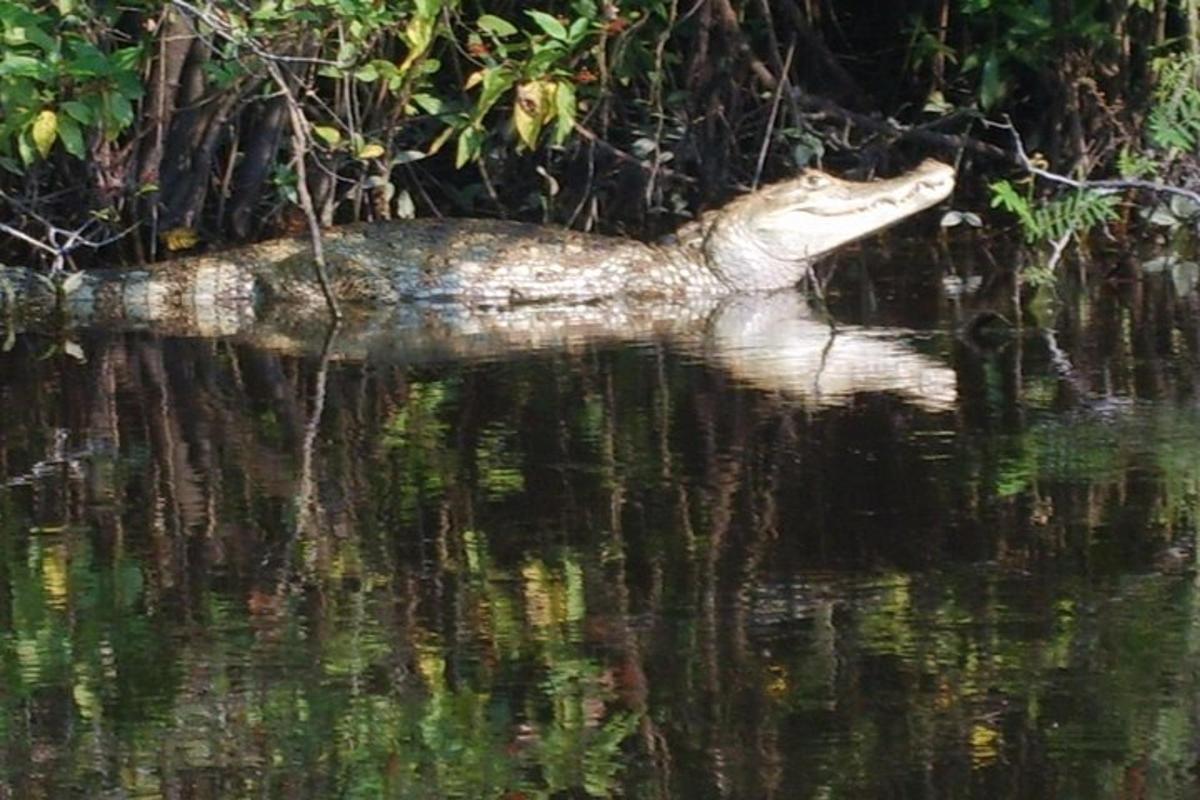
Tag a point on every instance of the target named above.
point(761, 242)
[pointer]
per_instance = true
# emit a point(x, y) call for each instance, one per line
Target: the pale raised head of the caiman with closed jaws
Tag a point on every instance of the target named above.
point(766, 240)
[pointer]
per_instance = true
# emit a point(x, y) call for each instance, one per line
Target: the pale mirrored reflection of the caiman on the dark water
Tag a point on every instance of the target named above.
point(766, 340)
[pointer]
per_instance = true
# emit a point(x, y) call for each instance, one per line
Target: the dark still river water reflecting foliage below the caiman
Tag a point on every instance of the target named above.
point(609, 570)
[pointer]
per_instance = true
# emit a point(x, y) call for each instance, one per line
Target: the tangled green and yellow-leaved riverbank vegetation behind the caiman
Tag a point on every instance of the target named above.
point(139, 129)
